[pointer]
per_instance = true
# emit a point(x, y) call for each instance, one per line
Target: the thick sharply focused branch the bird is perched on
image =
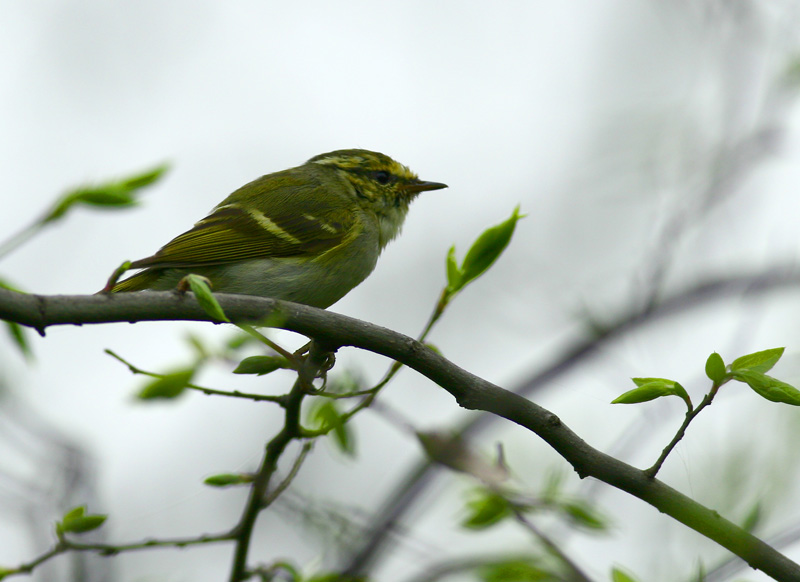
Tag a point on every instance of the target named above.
point(471, 392)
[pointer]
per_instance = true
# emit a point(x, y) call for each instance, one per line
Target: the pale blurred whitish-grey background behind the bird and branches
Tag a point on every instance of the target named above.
point(653, 146)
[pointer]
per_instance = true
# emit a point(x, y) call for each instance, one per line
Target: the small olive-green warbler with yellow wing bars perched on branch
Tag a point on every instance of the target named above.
point(308, 234)
